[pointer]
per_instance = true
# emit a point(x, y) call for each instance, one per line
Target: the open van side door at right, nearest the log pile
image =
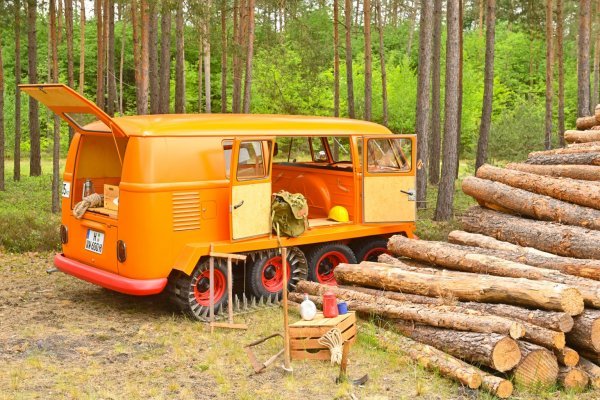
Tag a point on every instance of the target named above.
point(389, 178)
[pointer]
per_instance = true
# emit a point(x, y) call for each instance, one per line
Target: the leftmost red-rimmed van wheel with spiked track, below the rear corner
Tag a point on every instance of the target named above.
point(192, 293)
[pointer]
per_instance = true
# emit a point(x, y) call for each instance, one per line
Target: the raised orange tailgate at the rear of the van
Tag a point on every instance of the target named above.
point(73, 108)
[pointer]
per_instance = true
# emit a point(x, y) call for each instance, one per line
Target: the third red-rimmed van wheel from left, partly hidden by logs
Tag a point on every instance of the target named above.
point(322, 260)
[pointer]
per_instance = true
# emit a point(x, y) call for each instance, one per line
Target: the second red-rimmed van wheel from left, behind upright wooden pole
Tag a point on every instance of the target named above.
point(266, 272)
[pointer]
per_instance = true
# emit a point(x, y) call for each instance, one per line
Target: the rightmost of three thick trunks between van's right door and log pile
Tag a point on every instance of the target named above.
point(445, 198)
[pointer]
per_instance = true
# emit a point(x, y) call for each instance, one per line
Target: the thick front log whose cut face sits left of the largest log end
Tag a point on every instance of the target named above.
point(496, 351)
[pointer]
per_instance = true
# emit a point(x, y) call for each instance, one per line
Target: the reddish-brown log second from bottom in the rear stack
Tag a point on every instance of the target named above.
point(537, 206)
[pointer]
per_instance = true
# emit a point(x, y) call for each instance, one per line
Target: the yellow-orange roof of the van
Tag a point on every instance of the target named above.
point(239, 125)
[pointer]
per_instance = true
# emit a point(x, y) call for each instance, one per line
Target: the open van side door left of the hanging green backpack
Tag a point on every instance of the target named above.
point(250, 194)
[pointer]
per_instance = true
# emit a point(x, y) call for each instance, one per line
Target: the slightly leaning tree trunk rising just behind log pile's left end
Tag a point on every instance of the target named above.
point(488, 83)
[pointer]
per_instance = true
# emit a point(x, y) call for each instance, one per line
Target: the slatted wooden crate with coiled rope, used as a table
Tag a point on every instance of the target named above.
point(304, 335)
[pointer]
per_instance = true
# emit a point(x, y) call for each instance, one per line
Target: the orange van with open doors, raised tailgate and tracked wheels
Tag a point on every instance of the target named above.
point(186, 182)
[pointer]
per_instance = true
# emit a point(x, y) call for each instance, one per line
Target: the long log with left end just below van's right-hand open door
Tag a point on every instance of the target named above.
point(467, 260)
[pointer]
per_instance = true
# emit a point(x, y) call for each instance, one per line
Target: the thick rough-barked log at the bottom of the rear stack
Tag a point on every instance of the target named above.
point(564, 240)
